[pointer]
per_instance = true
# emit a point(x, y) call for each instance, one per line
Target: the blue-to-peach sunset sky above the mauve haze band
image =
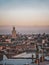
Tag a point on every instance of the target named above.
point(24, 12)
